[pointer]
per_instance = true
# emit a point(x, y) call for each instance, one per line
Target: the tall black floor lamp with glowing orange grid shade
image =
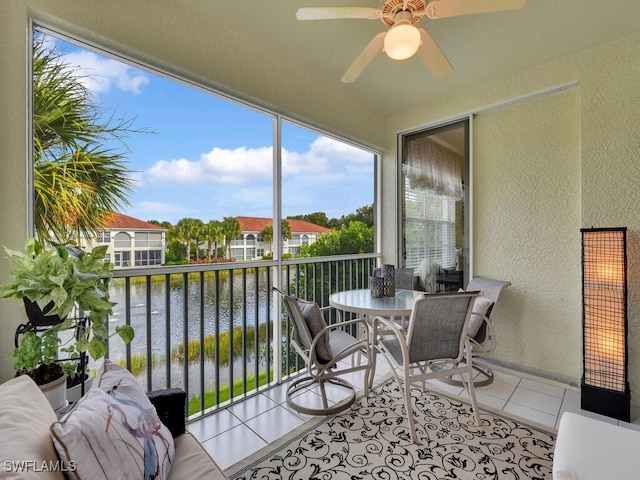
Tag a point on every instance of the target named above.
point(605, 385)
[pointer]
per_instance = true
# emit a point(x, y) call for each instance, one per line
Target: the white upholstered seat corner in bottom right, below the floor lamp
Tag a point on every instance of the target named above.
point(589, 449)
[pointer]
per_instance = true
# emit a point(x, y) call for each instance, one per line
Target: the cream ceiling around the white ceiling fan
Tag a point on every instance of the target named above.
point(480, 47)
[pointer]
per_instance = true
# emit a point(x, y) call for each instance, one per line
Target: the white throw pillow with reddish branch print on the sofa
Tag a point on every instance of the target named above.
point(114, 431)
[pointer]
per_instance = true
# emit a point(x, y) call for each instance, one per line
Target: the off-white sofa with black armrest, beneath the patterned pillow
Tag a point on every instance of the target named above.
point(27, 450)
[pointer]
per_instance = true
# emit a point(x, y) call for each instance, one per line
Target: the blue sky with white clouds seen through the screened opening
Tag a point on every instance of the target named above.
point(210, 157)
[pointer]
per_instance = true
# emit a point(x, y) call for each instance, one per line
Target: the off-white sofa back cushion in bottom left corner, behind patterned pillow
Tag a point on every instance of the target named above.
point(25, 418)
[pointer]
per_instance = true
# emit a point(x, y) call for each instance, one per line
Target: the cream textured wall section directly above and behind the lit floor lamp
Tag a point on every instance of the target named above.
point(610, 143)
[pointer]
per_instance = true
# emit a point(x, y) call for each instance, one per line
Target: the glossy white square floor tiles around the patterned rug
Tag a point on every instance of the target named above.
point(241, 429)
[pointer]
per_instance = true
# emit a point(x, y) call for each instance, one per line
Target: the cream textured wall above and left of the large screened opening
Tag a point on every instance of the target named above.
point(156, 32)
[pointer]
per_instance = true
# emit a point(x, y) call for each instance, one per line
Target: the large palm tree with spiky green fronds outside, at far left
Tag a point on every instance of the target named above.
point(77, 180)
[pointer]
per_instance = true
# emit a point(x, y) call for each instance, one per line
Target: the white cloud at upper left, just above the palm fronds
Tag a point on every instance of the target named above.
point(101, 74)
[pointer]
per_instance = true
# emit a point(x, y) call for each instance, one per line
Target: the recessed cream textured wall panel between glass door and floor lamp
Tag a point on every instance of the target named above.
point(526, 193)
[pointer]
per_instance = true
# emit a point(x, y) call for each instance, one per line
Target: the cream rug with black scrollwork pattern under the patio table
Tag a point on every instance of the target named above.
point(371, 441)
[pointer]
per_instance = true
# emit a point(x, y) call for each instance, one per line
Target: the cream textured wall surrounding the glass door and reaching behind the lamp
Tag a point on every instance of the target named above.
point(577, 150)
